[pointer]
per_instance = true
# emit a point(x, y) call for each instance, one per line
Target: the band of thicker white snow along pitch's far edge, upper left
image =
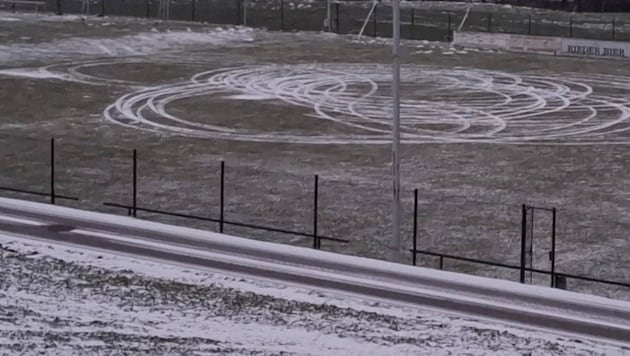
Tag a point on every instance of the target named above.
point(113, 37)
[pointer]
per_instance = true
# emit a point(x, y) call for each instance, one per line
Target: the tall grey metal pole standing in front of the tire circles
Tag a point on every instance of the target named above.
point(396, 241)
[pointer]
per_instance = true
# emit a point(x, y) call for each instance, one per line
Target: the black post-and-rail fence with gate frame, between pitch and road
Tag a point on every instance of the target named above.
point(557, 278)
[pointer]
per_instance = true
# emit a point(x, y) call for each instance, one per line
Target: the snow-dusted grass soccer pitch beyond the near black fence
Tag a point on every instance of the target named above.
point(484, 133)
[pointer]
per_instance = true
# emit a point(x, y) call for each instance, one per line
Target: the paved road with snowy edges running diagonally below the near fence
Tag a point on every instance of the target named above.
point(541, 308)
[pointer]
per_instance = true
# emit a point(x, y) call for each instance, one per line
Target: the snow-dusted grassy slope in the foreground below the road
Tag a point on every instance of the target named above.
point(65, 300)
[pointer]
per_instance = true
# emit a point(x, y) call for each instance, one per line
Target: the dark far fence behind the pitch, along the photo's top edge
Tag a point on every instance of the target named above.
point(348, 17)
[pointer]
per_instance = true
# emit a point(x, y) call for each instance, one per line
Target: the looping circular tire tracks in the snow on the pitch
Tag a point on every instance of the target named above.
point(439, 105)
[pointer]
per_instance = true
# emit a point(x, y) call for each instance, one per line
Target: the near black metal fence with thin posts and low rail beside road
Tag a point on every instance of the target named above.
point(558, 279)
